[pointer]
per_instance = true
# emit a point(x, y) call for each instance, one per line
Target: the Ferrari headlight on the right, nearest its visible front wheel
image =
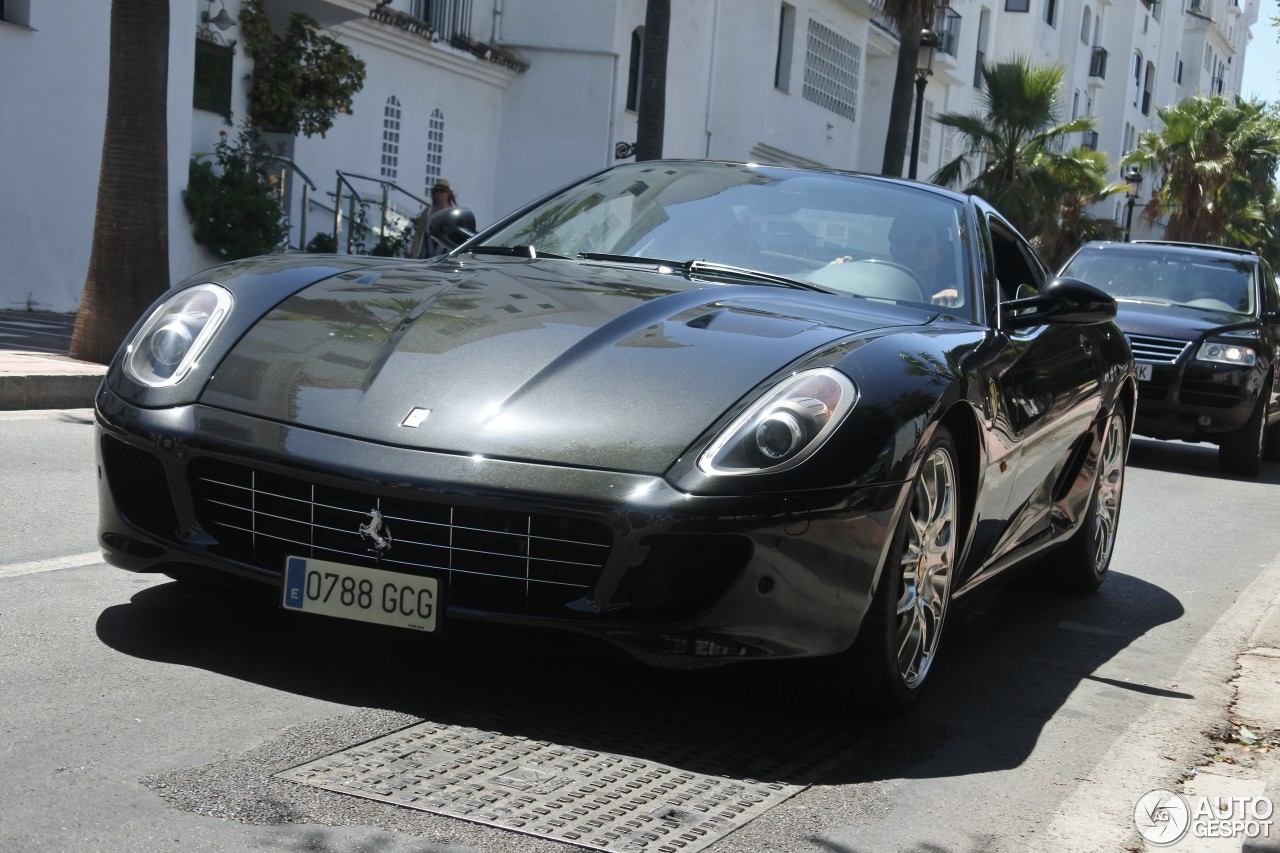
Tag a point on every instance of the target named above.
point(784, 427)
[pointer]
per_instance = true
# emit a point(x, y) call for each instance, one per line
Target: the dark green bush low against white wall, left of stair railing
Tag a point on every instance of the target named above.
point(235, 209)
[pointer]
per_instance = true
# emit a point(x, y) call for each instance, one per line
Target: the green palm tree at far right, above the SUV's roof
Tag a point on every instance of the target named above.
point(1215, 165)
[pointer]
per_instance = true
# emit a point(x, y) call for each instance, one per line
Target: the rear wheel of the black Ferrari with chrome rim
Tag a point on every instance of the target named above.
point(1082, 564)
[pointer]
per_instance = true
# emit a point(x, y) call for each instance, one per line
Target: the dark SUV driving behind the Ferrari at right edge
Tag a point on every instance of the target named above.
point(1205, 327)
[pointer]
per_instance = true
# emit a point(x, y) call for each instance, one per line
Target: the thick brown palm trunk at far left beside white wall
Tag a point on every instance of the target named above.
point(129, 266)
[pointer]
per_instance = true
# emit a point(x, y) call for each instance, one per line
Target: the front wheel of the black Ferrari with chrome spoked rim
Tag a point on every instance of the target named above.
point(902, 633)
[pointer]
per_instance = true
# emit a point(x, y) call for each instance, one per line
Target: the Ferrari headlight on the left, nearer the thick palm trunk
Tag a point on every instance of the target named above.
point(170, 344)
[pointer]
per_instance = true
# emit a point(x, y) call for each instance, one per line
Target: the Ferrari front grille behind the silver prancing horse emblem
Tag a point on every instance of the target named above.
point(488, 559)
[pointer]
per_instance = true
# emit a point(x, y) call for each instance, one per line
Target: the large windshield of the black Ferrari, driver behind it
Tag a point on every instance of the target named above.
point(844, 234)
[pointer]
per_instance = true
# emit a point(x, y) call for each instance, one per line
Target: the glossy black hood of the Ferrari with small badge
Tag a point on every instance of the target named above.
point(543, 361)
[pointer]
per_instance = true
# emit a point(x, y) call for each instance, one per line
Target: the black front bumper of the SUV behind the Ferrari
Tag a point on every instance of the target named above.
point(1196, 400)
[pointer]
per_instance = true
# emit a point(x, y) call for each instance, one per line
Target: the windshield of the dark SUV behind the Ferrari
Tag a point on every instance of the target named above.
point(1168, 277)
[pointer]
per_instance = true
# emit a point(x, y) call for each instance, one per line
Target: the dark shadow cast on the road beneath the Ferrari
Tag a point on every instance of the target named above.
point(1013, 656)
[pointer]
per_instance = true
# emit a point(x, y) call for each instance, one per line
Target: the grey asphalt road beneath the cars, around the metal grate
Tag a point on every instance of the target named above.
point(138, 714)
